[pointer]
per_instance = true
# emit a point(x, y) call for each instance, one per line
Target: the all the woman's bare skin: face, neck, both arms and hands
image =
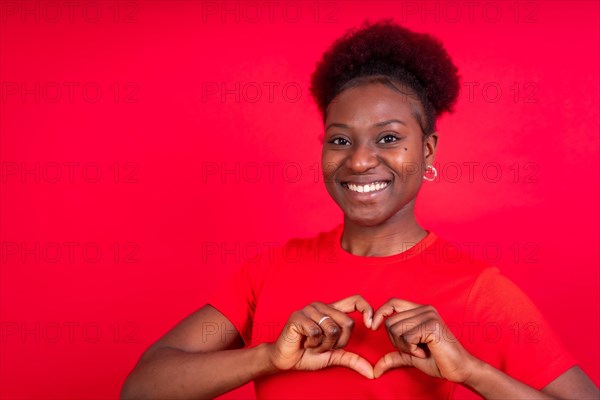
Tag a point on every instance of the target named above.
point(391, 155)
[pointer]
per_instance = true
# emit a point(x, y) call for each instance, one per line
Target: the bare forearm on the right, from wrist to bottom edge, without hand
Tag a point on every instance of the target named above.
point(492, 383)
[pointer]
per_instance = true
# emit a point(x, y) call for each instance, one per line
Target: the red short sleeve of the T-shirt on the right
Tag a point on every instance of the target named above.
point(509, 332)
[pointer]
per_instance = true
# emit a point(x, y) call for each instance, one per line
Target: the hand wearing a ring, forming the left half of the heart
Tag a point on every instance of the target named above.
point(304, 344)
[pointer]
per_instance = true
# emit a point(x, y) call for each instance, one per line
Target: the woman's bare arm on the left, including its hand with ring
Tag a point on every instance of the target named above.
point(187, 362)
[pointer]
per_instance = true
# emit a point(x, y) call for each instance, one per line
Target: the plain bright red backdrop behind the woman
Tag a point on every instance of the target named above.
point(74, 323)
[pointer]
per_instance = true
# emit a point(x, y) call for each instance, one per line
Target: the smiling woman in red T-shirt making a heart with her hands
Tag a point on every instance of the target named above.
point(374, 308)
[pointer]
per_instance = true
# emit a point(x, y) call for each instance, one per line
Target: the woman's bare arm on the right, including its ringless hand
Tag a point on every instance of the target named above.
point(425, 342)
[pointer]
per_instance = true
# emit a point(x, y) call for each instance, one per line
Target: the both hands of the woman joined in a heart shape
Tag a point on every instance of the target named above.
point(314, 337)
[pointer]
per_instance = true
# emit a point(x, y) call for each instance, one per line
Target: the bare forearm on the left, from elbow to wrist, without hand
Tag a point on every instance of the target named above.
point(171, 373)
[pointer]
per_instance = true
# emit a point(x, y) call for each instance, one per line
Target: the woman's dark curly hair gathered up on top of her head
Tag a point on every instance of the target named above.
point(385, 52)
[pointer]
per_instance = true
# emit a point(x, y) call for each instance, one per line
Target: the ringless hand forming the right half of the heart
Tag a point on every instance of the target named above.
point(423, 341)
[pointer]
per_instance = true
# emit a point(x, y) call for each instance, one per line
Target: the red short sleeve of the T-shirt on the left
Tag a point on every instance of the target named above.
point(236, 298)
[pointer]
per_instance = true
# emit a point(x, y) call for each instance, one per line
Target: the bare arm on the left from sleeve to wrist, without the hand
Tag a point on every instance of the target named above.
point(188, 361)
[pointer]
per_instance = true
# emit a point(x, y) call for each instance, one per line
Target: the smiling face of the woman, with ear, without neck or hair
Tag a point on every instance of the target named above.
point(373, 154)
